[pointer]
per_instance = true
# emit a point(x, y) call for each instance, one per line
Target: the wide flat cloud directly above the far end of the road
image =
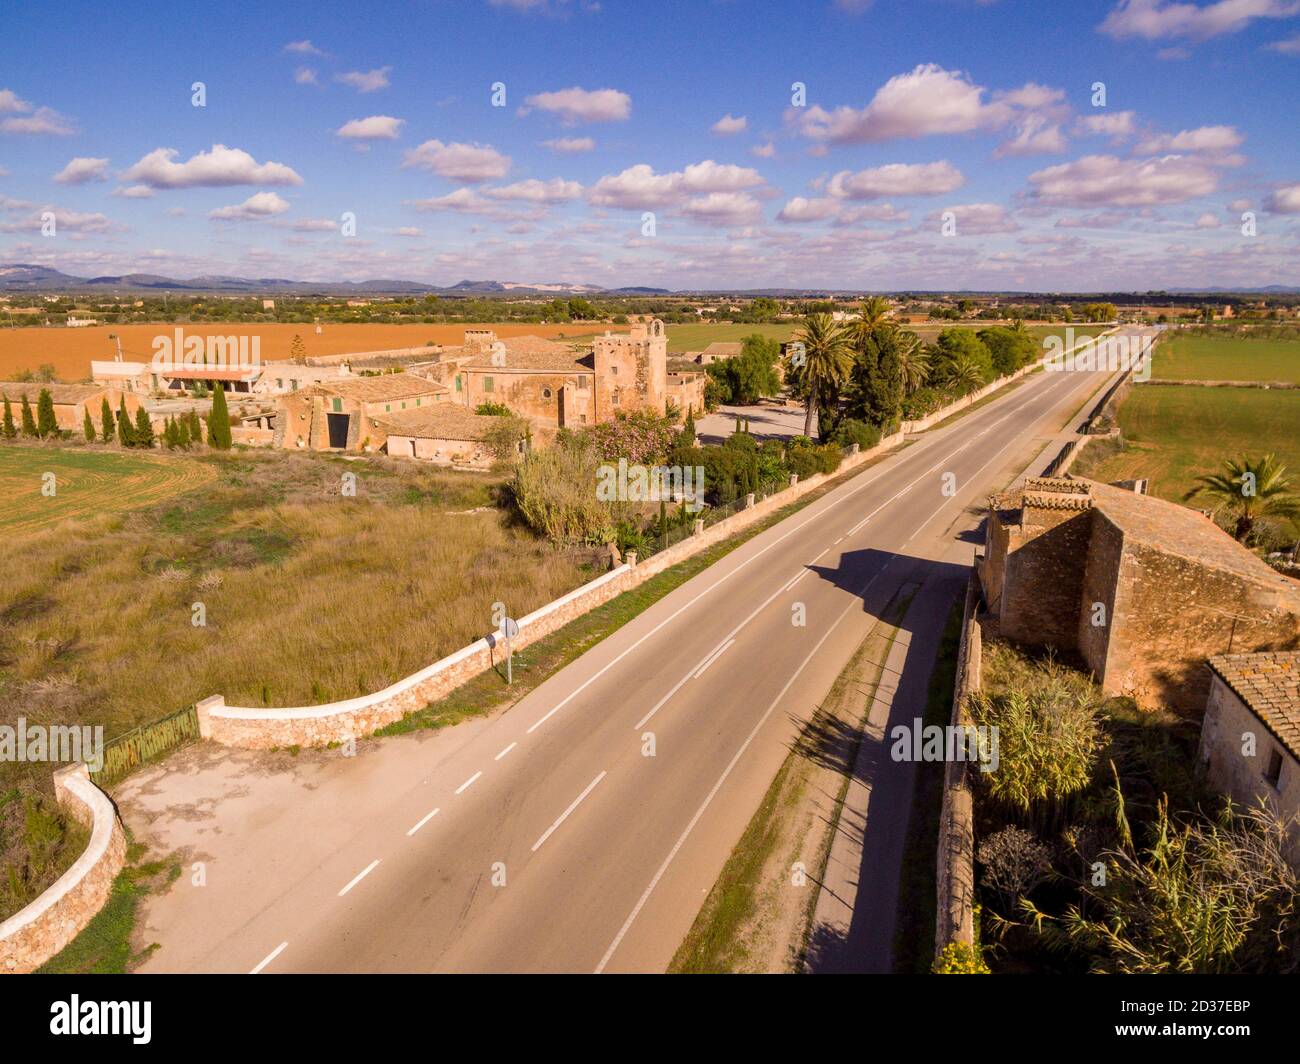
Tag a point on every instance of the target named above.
point(1104, 180)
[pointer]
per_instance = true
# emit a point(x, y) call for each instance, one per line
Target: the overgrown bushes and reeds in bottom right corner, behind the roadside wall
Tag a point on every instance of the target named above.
point(1098, 850)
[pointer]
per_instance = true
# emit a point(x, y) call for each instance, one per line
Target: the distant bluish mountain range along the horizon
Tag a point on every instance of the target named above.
point(27, 278)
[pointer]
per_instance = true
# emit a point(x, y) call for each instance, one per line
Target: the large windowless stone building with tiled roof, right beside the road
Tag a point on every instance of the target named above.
point(1143, 590)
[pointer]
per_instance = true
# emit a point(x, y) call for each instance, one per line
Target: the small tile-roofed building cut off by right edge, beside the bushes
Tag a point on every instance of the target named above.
point(1251, 734)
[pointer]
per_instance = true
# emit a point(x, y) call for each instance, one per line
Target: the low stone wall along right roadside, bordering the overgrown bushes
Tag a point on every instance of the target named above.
point(955, 880)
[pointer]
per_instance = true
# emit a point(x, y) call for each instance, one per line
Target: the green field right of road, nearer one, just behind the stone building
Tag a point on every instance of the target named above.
point(1177, 434)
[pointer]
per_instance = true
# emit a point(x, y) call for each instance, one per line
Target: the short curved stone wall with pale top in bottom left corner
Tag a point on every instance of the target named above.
point(37, 933)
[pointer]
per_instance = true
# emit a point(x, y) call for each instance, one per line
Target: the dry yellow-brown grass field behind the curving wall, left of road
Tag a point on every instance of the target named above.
point(309, 596)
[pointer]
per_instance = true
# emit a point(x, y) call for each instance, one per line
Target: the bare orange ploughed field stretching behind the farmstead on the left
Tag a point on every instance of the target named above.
point(71, 351)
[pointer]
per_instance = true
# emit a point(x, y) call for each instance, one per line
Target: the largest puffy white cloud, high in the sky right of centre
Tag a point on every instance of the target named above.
point(925, 102)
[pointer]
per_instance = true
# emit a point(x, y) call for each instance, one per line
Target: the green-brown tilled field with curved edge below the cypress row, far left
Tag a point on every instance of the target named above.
point(86, 483)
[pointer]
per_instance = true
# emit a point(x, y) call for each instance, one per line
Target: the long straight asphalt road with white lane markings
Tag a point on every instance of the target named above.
point(549, 838)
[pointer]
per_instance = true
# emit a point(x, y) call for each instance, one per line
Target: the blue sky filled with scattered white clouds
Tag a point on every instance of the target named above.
point(941, 144)
